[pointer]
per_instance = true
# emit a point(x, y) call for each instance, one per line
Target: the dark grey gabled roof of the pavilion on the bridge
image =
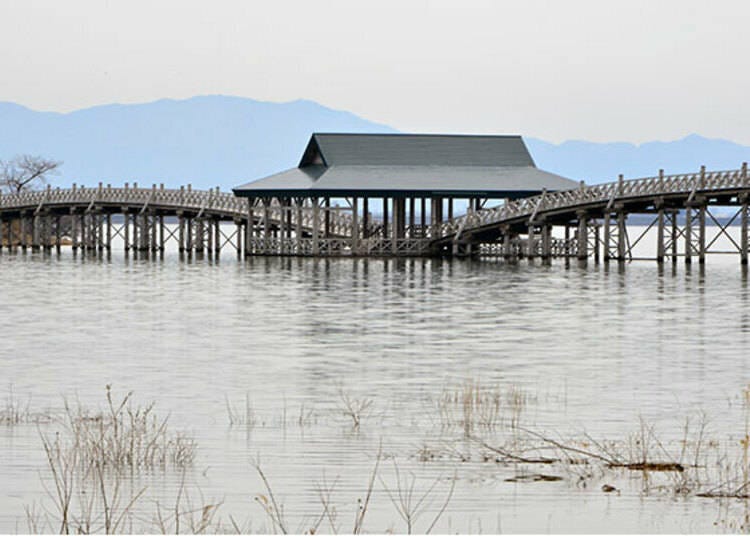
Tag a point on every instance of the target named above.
point(410, 164)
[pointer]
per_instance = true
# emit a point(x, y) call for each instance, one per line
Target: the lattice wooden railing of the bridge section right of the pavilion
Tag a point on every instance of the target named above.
point(685, 183)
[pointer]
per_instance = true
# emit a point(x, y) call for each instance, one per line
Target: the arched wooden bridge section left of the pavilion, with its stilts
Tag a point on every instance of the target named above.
point(90, 218)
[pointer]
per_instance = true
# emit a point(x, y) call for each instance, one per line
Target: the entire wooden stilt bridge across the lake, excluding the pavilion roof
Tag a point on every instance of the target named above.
point(680, 208)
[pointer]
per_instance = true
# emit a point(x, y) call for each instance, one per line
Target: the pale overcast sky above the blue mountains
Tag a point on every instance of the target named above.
point(597, 70)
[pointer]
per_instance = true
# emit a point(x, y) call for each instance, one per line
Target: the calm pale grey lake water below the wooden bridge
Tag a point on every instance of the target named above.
point(591, 350)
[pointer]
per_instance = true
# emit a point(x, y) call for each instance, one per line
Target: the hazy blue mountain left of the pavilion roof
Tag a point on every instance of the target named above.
point(207, 141)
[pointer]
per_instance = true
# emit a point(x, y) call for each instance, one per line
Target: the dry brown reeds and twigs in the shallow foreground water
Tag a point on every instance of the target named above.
point(96, 460)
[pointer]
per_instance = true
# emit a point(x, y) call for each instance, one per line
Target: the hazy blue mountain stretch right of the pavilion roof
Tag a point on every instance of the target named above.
point(602, 162)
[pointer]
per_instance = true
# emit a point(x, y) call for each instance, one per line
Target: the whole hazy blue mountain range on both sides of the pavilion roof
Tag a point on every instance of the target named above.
point(225, 141)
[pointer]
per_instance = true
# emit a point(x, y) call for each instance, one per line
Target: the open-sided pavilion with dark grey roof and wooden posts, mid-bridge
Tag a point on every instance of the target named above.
point(394, 189)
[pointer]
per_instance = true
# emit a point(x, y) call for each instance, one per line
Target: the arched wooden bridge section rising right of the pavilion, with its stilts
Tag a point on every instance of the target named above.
point(679, 206)
